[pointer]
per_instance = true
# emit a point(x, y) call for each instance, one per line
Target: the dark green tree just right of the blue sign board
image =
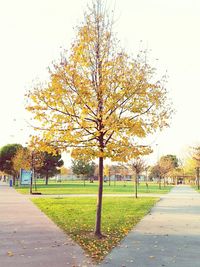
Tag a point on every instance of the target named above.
point(50, 166)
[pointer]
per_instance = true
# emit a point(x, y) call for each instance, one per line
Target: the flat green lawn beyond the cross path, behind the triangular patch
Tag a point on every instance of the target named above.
point(74, 187)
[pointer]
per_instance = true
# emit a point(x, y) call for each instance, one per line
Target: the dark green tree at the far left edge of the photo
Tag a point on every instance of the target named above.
point(7, 153)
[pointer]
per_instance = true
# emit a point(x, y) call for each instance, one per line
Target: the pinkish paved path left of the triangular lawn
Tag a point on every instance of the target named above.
point(29, 239)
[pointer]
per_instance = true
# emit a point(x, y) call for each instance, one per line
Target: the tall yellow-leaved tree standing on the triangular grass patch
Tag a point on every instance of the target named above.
point(99, 100)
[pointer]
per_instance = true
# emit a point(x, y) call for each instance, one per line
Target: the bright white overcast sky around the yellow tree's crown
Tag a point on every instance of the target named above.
point(32, 33)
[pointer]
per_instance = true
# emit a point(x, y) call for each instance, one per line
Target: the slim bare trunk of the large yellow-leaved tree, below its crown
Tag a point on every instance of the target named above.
point(99, 200)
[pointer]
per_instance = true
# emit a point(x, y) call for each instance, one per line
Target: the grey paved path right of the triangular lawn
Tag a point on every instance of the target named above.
point(168, 236)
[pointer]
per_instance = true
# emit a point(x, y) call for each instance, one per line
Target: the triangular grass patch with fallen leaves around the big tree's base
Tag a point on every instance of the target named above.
point(76, 216)
